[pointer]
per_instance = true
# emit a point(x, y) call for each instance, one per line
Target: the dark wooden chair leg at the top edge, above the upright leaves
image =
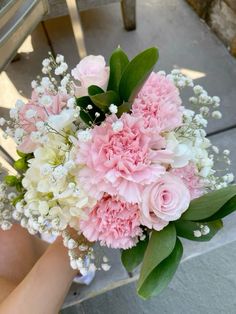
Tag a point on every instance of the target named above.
point(128, 8)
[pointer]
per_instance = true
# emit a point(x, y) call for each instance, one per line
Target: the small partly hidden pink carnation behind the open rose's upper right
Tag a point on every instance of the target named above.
point(189, 176)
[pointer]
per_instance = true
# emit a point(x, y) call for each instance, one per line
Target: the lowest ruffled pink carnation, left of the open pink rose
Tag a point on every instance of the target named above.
point(113, 222)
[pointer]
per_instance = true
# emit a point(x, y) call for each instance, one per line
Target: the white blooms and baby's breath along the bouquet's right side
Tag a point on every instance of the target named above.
point(189, 142)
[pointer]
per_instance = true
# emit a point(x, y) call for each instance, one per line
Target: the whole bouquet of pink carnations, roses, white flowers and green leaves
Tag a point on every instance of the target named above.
point(112, 153)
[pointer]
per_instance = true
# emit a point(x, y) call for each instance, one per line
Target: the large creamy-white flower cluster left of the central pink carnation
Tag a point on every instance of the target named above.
point(54, 198)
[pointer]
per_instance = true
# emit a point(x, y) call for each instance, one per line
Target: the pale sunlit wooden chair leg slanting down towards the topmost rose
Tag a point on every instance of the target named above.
point(77, 27)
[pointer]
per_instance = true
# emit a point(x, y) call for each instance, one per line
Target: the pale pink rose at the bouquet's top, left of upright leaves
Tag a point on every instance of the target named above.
point(91, 70)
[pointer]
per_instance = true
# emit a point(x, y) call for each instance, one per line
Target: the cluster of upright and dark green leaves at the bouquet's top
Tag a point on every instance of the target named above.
point(124, 81)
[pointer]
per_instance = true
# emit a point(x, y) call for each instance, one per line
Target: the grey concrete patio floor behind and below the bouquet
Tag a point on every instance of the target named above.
point(205, 284)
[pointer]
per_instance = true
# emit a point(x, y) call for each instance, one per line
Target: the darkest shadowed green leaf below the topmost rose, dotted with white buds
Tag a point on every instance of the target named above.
point(88, 116)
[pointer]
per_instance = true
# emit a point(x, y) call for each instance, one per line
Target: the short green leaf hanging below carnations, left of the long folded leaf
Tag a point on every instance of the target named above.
point(131, 258)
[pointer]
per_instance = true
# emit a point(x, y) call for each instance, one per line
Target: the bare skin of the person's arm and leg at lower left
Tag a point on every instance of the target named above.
point(34, 277)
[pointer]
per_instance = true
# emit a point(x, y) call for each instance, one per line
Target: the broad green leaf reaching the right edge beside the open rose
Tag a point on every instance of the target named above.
point(207, 205)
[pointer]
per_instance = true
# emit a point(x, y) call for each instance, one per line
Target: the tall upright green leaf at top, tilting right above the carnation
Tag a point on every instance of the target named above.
point(137, 72)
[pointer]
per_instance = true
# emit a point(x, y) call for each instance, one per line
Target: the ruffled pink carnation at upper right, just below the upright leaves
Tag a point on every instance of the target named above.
point(159, 103)
